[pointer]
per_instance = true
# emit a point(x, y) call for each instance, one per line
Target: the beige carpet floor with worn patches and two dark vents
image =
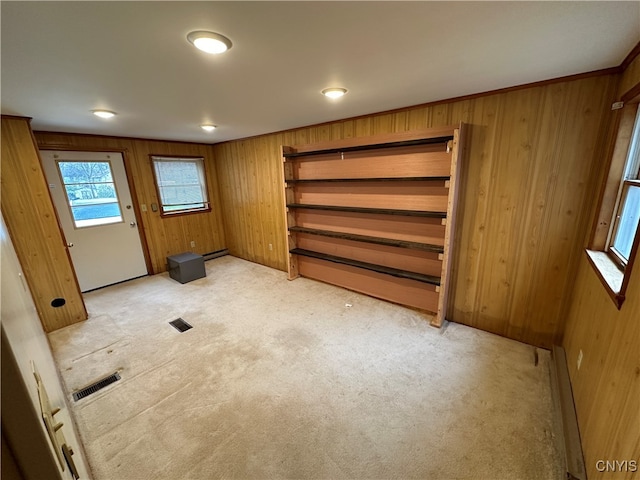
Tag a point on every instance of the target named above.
point(298, 379)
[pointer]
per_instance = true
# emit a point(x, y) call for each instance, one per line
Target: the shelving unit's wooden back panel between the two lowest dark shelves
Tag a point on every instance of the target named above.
point(427, 263)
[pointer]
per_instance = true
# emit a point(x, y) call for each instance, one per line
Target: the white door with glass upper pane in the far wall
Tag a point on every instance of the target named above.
point(91, 194)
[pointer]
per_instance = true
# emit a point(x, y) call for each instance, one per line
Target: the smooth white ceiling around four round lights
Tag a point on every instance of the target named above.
point(62, 59)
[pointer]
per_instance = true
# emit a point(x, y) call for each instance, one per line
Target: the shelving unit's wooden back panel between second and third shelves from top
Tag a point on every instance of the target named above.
point(425, 195)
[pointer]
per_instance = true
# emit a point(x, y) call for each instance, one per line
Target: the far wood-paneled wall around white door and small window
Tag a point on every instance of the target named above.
point(163, 236)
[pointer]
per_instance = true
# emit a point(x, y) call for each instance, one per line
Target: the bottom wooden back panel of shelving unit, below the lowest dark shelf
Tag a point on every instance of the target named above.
point(398, 290)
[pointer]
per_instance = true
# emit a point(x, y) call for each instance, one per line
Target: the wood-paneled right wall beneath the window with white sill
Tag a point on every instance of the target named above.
point(606, 389)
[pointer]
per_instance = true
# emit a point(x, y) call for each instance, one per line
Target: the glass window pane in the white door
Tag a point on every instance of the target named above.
point(91, 193)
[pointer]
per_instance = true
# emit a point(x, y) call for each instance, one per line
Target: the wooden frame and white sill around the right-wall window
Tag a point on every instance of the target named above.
point(612, 270)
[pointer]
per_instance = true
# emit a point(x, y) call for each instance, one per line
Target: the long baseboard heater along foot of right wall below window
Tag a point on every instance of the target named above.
point(565, 415)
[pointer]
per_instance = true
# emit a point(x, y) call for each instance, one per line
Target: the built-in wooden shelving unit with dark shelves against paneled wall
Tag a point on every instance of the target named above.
point(375, 214)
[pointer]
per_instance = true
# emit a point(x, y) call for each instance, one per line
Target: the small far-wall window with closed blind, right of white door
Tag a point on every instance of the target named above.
point(181, 184)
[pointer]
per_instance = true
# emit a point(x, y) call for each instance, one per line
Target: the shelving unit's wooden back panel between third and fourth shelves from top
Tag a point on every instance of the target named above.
point(411, 229)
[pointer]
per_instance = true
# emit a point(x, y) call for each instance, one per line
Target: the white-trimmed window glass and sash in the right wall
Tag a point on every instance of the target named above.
point(627, 214)
